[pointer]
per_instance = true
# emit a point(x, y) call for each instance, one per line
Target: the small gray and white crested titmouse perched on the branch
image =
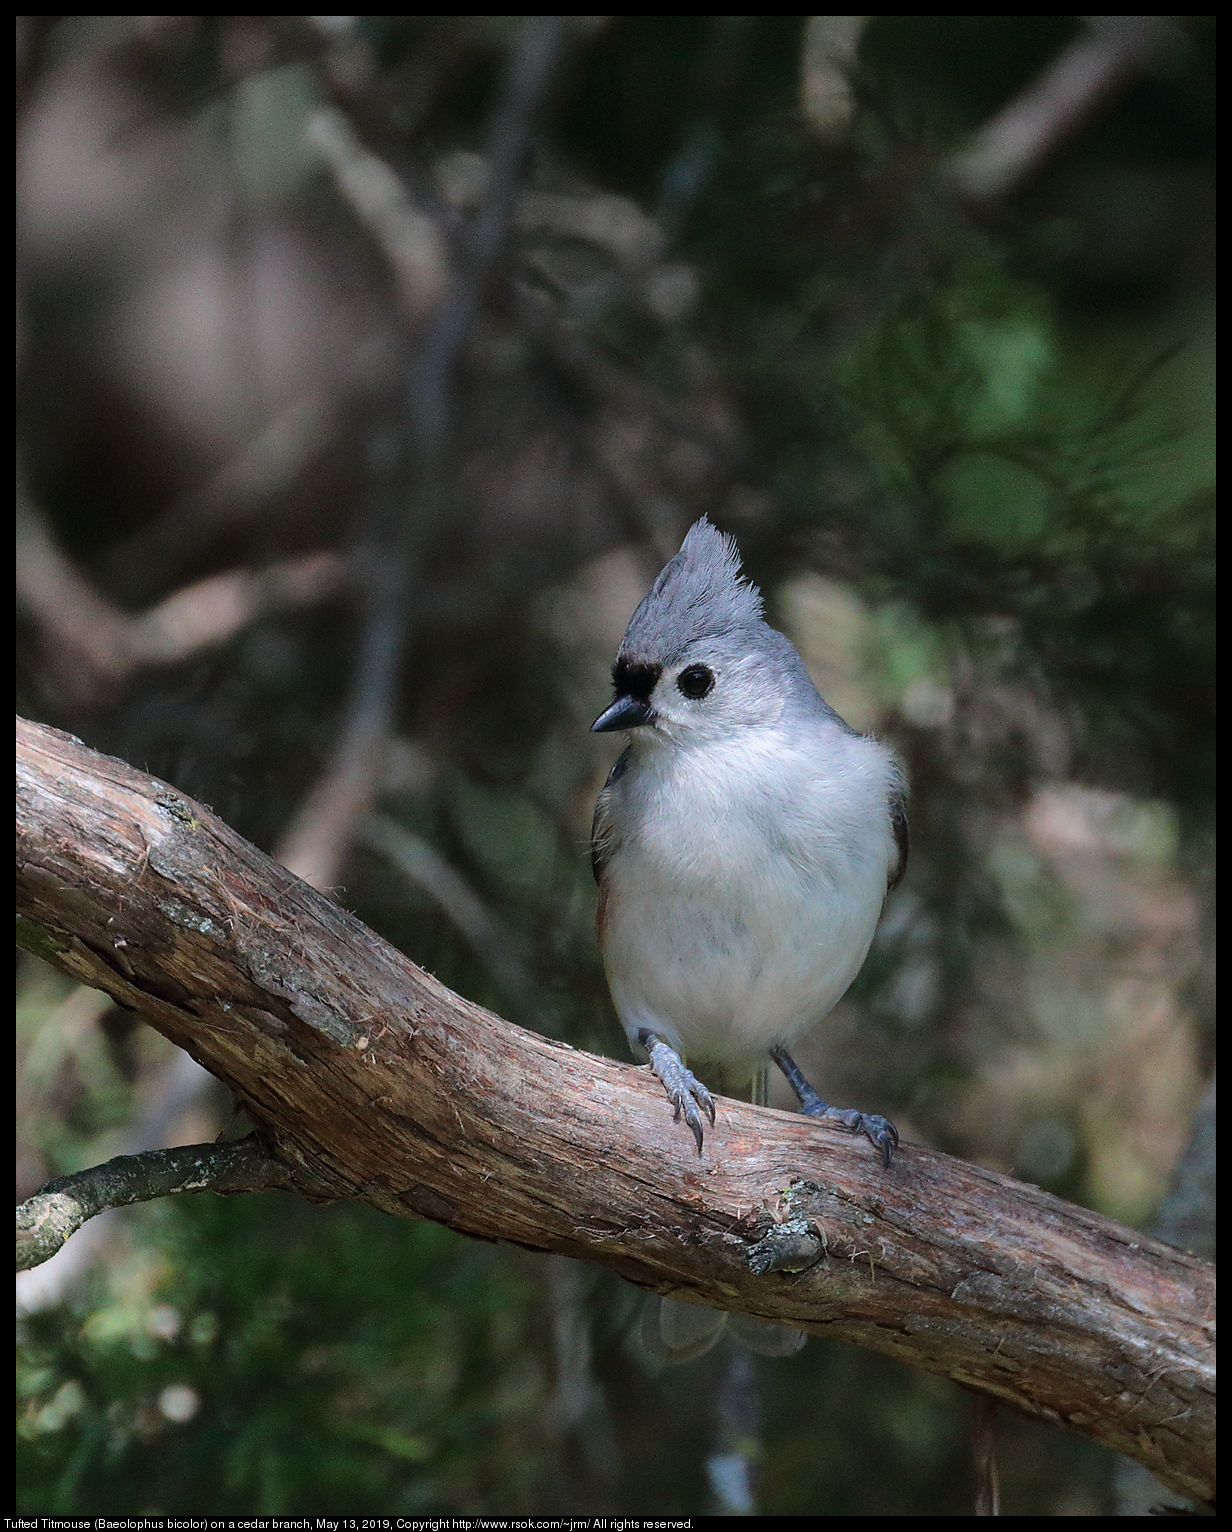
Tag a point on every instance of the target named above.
point(744, 843)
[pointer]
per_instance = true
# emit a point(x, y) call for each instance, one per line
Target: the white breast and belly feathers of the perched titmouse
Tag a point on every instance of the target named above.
point(742, 886)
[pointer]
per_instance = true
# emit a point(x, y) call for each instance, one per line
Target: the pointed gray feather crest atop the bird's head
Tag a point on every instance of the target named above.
point(700, 594)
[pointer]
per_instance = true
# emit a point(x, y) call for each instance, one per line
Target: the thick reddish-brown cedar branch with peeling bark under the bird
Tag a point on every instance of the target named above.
point(376, 1082)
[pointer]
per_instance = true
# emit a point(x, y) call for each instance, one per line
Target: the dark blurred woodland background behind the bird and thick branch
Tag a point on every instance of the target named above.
point(369, 370)
